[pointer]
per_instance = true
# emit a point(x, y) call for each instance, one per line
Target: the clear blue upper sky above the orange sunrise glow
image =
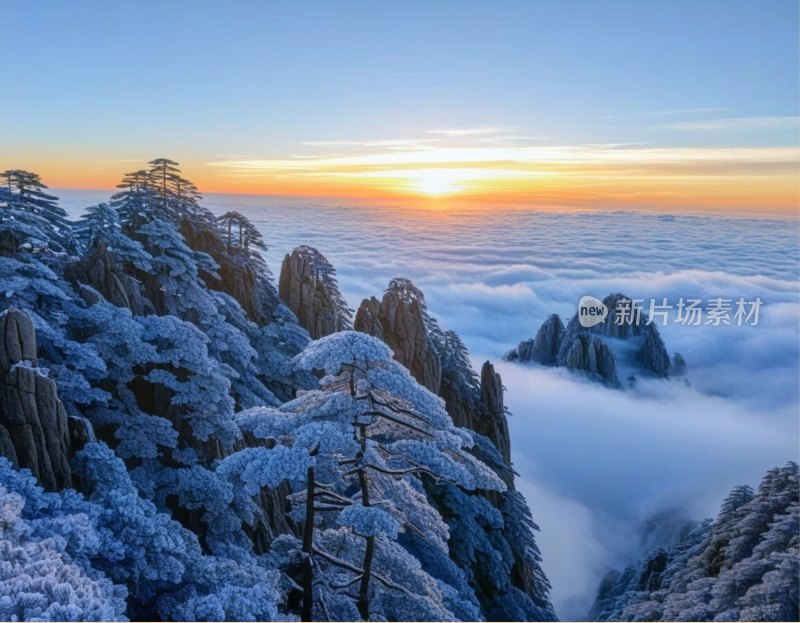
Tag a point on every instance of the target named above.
point(196, 80)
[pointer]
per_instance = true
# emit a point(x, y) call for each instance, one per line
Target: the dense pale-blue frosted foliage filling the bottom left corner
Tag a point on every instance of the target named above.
point(115, 535)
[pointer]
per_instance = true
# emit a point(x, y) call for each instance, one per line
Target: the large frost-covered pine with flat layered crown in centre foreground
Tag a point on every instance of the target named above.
point(376, 435)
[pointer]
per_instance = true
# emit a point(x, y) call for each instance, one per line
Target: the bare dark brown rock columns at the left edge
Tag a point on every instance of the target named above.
point(34, 431)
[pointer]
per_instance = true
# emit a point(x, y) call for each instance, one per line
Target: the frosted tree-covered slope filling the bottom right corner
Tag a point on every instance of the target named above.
point(741, 567)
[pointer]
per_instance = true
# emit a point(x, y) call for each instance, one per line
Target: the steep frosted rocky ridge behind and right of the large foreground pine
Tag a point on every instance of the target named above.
point(440, 361)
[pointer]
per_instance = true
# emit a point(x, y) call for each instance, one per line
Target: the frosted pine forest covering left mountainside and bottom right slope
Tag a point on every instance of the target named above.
point(174, 446)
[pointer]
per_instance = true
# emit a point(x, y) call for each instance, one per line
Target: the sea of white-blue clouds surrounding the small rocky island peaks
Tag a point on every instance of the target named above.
point(595, 463)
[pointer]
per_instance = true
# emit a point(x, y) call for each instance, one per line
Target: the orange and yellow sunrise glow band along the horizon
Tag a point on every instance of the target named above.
point(753, 181)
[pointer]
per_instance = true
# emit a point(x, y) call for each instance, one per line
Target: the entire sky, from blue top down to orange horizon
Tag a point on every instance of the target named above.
point(678, 105)
